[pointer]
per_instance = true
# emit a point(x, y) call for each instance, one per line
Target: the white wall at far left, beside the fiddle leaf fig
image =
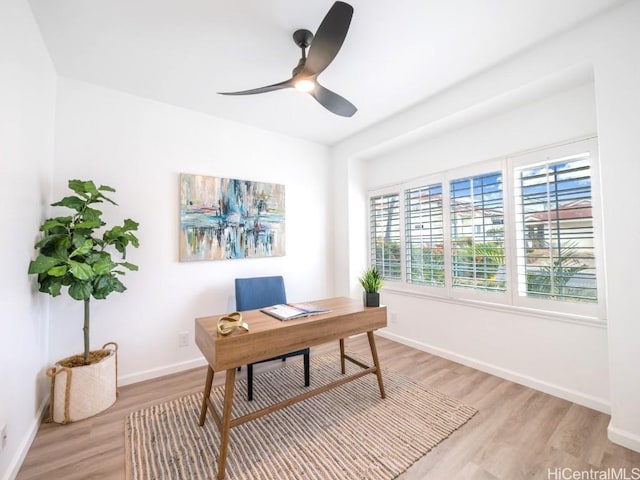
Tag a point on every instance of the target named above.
point(27, 100)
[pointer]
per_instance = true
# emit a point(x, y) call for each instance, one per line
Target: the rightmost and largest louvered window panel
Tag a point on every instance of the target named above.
point(555, 231)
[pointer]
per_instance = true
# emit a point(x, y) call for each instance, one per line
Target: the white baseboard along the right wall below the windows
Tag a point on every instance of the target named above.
point(589, 401)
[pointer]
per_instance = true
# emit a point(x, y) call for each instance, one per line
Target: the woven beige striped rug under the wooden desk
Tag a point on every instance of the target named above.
point(346, 433)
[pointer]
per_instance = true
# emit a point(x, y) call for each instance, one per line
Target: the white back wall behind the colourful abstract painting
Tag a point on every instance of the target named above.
point(140, 147)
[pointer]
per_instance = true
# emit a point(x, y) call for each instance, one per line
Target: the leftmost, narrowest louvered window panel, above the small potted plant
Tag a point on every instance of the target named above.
point(385, 235)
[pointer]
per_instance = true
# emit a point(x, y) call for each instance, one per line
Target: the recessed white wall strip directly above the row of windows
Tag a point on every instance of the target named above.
point(558, 116)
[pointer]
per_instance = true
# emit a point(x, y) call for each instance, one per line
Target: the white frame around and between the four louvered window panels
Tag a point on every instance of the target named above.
point(592, 313)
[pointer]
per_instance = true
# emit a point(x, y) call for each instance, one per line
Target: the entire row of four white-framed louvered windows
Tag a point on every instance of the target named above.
point(522, 230)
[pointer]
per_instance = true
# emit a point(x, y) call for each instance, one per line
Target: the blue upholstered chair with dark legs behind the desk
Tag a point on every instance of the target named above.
point(260, 292)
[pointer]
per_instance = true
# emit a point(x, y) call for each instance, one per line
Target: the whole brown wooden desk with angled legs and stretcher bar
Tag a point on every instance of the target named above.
point(269, 337)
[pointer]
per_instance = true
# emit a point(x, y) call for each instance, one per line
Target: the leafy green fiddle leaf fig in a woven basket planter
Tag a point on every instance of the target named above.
point(76, 252)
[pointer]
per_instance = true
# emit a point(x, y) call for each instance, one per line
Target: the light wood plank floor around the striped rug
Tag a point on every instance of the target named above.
point(518, 432)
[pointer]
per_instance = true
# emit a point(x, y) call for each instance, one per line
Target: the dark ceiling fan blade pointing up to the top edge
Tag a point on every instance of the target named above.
point(328, 39)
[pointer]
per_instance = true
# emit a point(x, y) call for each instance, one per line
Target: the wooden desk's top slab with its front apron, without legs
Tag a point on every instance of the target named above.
point(269, 337)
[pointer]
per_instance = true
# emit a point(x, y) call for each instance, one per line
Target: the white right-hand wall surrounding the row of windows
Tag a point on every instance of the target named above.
point(610, 47)
